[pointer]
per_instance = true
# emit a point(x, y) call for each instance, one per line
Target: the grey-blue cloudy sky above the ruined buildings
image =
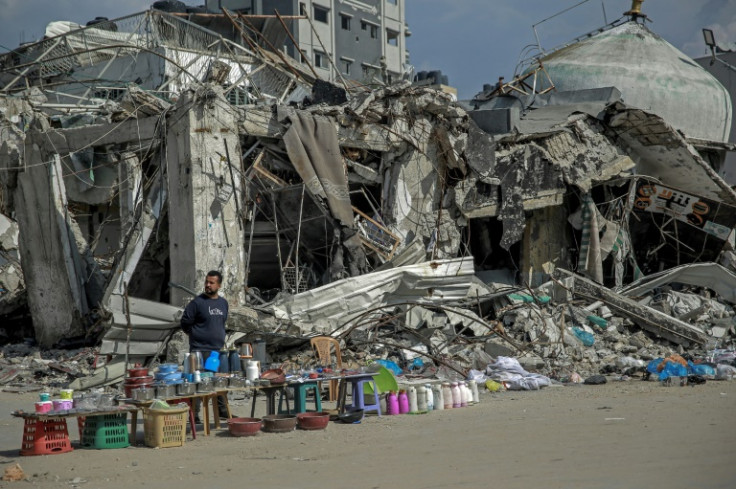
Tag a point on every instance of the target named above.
point(471, 41)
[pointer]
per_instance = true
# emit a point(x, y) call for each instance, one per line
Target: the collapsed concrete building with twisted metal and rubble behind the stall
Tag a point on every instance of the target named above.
point(139, 153)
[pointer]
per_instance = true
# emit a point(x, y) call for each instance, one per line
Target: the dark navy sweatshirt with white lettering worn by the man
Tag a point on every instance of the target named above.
point(204, 321)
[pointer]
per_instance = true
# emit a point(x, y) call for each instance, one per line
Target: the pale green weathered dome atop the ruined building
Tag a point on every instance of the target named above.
point(651, 74)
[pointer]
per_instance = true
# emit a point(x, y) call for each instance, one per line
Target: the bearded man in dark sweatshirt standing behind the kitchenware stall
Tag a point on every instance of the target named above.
point(204, 322)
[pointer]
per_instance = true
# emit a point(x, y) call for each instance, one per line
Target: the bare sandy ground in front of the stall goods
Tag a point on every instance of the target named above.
point(620, 435)
